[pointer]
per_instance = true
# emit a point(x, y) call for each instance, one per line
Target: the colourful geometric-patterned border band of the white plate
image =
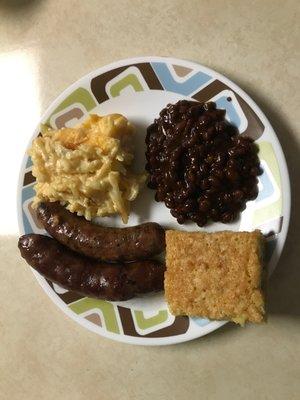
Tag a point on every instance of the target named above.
point(270, 211)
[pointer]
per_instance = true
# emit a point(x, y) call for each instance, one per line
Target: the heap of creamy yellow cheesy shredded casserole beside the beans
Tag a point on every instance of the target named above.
point(87, 168)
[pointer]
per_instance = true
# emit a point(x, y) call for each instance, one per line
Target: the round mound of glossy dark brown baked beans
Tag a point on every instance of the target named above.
point(198, 163)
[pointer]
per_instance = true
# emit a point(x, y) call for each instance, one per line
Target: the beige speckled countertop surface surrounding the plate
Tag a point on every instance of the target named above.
point(45, 45)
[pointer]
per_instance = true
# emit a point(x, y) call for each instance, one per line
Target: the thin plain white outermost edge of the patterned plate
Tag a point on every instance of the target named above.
point(286, 205)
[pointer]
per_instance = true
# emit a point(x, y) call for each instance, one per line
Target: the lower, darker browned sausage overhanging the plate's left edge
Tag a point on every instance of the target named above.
point(89, 277)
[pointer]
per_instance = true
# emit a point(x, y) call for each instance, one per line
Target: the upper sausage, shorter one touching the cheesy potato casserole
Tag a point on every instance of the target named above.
point(110, 244)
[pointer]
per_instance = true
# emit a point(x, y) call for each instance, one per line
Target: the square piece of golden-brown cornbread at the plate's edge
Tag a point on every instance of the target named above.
point(215, 275)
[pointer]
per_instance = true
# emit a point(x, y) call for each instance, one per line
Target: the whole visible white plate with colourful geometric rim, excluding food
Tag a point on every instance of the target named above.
point(139, 88)
